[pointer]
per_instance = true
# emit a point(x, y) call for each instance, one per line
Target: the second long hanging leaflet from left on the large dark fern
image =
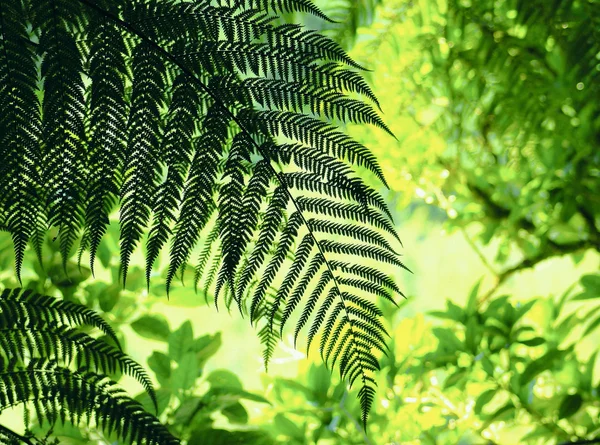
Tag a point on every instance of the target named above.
point(63, 110)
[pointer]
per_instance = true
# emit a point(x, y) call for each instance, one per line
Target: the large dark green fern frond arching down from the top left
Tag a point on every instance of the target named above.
point(210, 126)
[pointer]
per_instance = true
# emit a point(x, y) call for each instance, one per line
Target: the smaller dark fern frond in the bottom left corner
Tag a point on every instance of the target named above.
point(52, 367)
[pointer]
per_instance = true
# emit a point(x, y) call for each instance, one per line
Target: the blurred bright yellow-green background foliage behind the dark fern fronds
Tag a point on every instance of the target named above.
point(495, 107)
